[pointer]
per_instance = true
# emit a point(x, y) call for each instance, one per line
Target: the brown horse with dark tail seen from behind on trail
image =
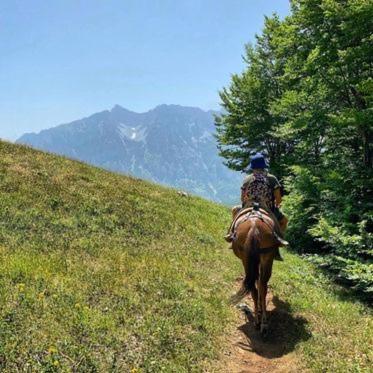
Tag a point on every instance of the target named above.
point(255, 244)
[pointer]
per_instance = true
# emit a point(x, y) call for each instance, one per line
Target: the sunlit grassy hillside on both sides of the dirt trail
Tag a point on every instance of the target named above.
point(100, 272)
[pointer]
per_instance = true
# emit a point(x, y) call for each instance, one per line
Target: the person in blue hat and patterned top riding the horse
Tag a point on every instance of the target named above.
point(263, 188)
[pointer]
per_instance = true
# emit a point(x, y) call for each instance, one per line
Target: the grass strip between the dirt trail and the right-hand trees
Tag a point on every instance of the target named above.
point(341, 328)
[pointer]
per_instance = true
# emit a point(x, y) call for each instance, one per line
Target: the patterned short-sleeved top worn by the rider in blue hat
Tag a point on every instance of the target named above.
point(259, 187)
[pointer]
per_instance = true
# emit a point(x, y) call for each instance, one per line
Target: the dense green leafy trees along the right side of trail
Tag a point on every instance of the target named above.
point(305, 98)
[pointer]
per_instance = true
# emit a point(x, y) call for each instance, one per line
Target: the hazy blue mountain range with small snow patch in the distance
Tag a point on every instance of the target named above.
point(170, 144)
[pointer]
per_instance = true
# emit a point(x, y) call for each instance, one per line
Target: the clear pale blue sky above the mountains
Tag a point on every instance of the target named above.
point(61, 60)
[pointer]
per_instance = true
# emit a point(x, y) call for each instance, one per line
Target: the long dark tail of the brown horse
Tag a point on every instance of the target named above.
point(251, 264)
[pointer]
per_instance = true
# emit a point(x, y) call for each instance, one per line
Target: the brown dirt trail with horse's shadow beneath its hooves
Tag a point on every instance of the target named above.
point(248, 352)
